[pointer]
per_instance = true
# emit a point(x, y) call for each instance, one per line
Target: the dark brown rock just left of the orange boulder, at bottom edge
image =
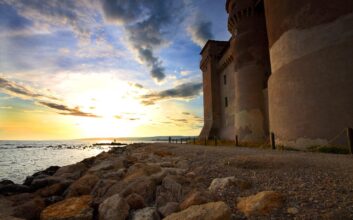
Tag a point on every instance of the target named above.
point(30, 209)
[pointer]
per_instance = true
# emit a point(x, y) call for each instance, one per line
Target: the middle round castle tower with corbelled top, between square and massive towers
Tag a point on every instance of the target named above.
point(249, 43)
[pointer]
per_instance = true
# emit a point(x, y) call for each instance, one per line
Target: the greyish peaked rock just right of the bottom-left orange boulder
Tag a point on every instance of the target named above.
point(114, 208)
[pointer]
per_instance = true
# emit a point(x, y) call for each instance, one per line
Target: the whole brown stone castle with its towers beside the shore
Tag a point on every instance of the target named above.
point(287, 69)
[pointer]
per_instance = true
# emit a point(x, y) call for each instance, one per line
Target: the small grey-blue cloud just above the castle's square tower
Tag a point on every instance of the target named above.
point(200, 32)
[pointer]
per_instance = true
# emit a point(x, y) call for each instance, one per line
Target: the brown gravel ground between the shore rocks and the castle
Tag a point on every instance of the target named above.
point(319, 186)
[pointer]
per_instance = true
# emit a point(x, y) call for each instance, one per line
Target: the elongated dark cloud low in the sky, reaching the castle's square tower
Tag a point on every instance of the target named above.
point(183, 91)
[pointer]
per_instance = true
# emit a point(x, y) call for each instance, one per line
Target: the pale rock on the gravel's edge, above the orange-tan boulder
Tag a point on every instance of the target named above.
point(219, 185)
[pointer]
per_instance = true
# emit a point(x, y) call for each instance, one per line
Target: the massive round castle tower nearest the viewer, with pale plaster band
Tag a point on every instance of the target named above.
point(311, 86)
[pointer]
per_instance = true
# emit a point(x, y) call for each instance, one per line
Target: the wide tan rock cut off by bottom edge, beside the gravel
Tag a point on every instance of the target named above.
point(208, 211)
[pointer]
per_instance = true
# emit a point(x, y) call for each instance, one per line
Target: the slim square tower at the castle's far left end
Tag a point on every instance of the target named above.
point(211, 54)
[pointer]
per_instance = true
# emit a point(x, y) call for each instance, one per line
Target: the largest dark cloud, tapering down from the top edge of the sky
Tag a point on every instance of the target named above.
point(146, 23)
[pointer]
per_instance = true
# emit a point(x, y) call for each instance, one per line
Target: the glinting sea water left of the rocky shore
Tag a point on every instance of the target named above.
point(19, 159)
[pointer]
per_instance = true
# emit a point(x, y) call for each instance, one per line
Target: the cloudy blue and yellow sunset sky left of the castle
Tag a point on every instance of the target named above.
point(104, 68)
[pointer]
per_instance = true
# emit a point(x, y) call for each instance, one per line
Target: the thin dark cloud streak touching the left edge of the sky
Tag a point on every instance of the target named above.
point(16, 89)
